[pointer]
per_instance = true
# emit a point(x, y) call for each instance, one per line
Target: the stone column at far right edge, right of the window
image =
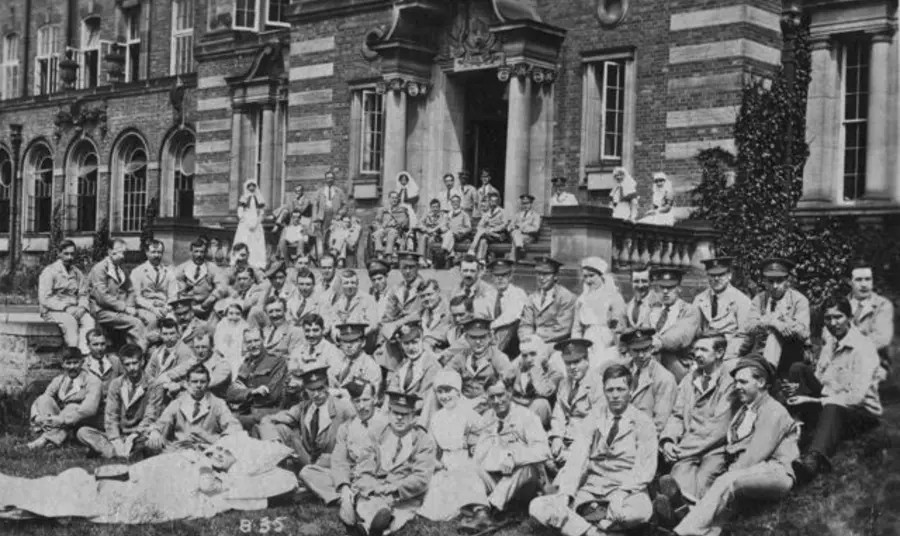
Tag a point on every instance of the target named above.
point(877, 168)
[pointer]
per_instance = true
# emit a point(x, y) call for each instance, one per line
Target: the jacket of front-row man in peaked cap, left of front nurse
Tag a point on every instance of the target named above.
point(409, 470)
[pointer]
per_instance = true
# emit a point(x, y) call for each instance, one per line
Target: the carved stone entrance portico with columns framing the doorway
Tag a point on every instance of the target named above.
point(428, 47)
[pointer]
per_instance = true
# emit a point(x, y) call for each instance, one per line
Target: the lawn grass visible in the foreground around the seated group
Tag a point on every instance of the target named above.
point(861, 496)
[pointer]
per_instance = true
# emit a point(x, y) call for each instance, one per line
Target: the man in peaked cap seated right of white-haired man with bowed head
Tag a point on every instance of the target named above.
point(580, 391)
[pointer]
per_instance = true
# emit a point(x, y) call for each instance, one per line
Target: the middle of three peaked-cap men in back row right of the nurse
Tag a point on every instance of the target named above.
point(723, 308)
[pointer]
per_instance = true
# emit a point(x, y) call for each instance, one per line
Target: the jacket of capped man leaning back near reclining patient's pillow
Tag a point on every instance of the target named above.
point(337, 411)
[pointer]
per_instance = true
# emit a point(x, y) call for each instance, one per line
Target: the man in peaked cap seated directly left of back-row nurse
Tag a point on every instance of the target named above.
point(550, 310)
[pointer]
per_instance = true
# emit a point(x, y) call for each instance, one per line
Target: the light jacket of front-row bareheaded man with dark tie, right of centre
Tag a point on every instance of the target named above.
point(627, 464)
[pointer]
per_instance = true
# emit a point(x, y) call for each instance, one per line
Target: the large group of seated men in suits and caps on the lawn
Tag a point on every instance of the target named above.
point(704, 399)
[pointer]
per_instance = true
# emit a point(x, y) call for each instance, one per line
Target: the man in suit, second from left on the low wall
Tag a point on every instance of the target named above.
point(112, 297)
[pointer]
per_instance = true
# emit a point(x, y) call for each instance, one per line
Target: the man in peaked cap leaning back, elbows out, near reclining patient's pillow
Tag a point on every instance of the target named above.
point(310, 427)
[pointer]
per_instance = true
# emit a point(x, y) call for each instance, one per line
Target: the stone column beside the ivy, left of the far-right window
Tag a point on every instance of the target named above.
point(820, 175)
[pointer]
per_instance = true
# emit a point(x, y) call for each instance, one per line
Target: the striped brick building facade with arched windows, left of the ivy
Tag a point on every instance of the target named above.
point(182, 100)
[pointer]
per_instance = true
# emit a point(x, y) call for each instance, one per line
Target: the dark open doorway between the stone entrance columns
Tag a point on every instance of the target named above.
point(486, 114)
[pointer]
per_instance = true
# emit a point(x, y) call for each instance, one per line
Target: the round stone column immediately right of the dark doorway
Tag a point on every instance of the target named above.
point(517, 139)
